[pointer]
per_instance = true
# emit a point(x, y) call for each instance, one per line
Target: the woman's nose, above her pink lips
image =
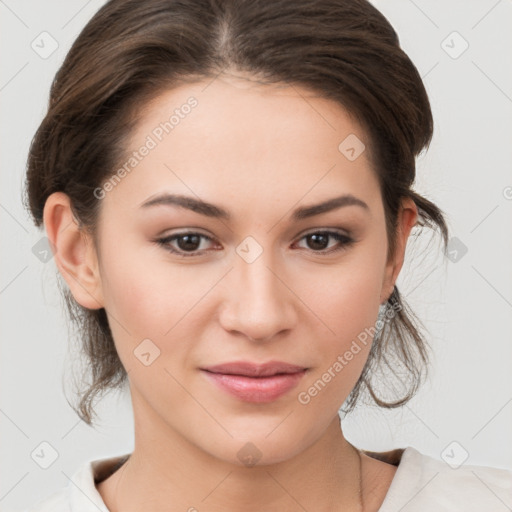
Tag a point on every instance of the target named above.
point(258, 302)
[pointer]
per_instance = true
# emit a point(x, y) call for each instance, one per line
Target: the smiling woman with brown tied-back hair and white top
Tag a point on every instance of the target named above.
point(227, 186)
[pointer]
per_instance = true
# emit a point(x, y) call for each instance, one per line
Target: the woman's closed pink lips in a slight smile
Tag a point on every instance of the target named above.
point(259, 383)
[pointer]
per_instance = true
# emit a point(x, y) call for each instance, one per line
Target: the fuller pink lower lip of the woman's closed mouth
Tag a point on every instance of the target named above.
point(256, 389)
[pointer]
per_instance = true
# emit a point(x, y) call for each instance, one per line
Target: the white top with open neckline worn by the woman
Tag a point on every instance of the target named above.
point(420, 484)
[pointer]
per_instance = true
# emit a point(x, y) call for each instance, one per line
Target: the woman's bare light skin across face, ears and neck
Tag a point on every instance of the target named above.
point(258, 151)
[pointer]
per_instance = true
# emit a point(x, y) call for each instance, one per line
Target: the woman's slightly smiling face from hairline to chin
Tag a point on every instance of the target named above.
point(259, 277)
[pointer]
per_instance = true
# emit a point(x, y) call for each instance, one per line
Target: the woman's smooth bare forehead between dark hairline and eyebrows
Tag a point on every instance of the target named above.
point(246, 141)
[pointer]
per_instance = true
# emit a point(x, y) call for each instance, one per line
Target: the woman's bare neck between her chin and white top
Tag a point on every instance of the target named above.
point(165, 469)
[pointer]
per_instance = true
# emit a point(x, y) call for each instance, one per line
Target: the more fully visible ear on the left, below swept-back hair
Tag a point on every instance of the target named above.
point(74, 251)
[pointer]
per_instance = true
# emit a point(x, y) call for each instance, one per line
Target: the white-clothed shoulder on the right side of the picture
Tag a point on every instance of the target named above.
point(423, 483)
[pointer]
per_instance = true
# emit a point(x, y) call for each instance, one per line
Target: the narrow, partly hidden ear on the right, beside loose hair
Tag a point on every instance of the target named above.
point(407, 217)
